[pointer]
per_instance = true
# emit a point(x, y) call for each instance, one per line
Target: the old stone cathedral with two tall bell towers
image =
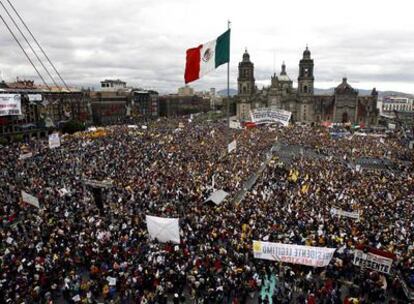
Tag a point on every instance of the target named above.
point(344, 106)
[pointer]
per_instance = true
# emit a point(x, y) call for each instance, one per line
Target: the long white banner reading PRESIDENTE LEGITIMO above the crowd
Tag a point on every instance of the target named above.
point(295, 254)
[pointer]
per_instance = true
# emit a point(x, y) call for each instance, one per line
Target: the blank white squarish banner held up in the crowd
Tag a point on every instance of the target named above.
point(163, 229)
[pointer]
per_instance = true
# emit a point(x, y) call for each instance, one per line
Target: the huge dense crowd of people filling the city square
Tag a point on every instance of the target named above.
point(69, 251)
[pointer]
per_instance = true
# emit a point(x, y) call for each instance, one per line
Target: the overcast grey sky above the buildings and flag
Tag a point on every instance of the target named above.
point(143, 42)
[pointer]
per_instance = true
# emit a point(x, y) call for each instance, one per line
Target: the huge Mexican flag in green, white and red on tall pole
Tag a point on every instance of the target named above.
point(207, 57)
